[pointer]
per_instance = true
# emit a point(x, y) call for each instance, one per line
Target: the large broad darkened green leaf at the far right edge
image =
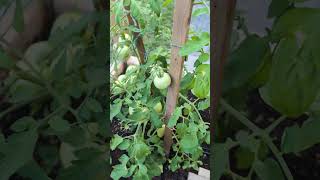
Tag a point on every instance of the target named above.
point(294, 68)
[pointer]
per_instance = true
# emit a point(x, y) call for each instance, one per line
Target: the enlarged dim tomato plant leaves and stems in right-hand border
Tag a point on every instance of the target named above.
point(270, 97)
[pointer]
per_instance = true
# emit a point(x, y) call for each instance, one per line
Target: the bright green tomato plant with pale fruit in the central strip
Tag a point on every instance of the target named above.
point(138, 102)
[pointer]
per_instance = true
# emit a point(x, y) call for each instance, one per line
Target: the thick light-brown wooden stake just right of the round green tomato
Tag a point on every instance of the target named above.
point(181, 22)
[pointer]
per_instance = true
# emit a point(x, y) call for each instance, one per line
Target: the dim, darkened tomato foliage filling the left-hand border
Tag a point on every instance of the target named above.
point(53, 108)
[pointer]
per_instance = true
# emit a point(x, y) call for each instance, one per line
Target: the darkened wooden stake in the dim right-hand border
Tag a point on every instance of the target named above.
point(221, 25)
